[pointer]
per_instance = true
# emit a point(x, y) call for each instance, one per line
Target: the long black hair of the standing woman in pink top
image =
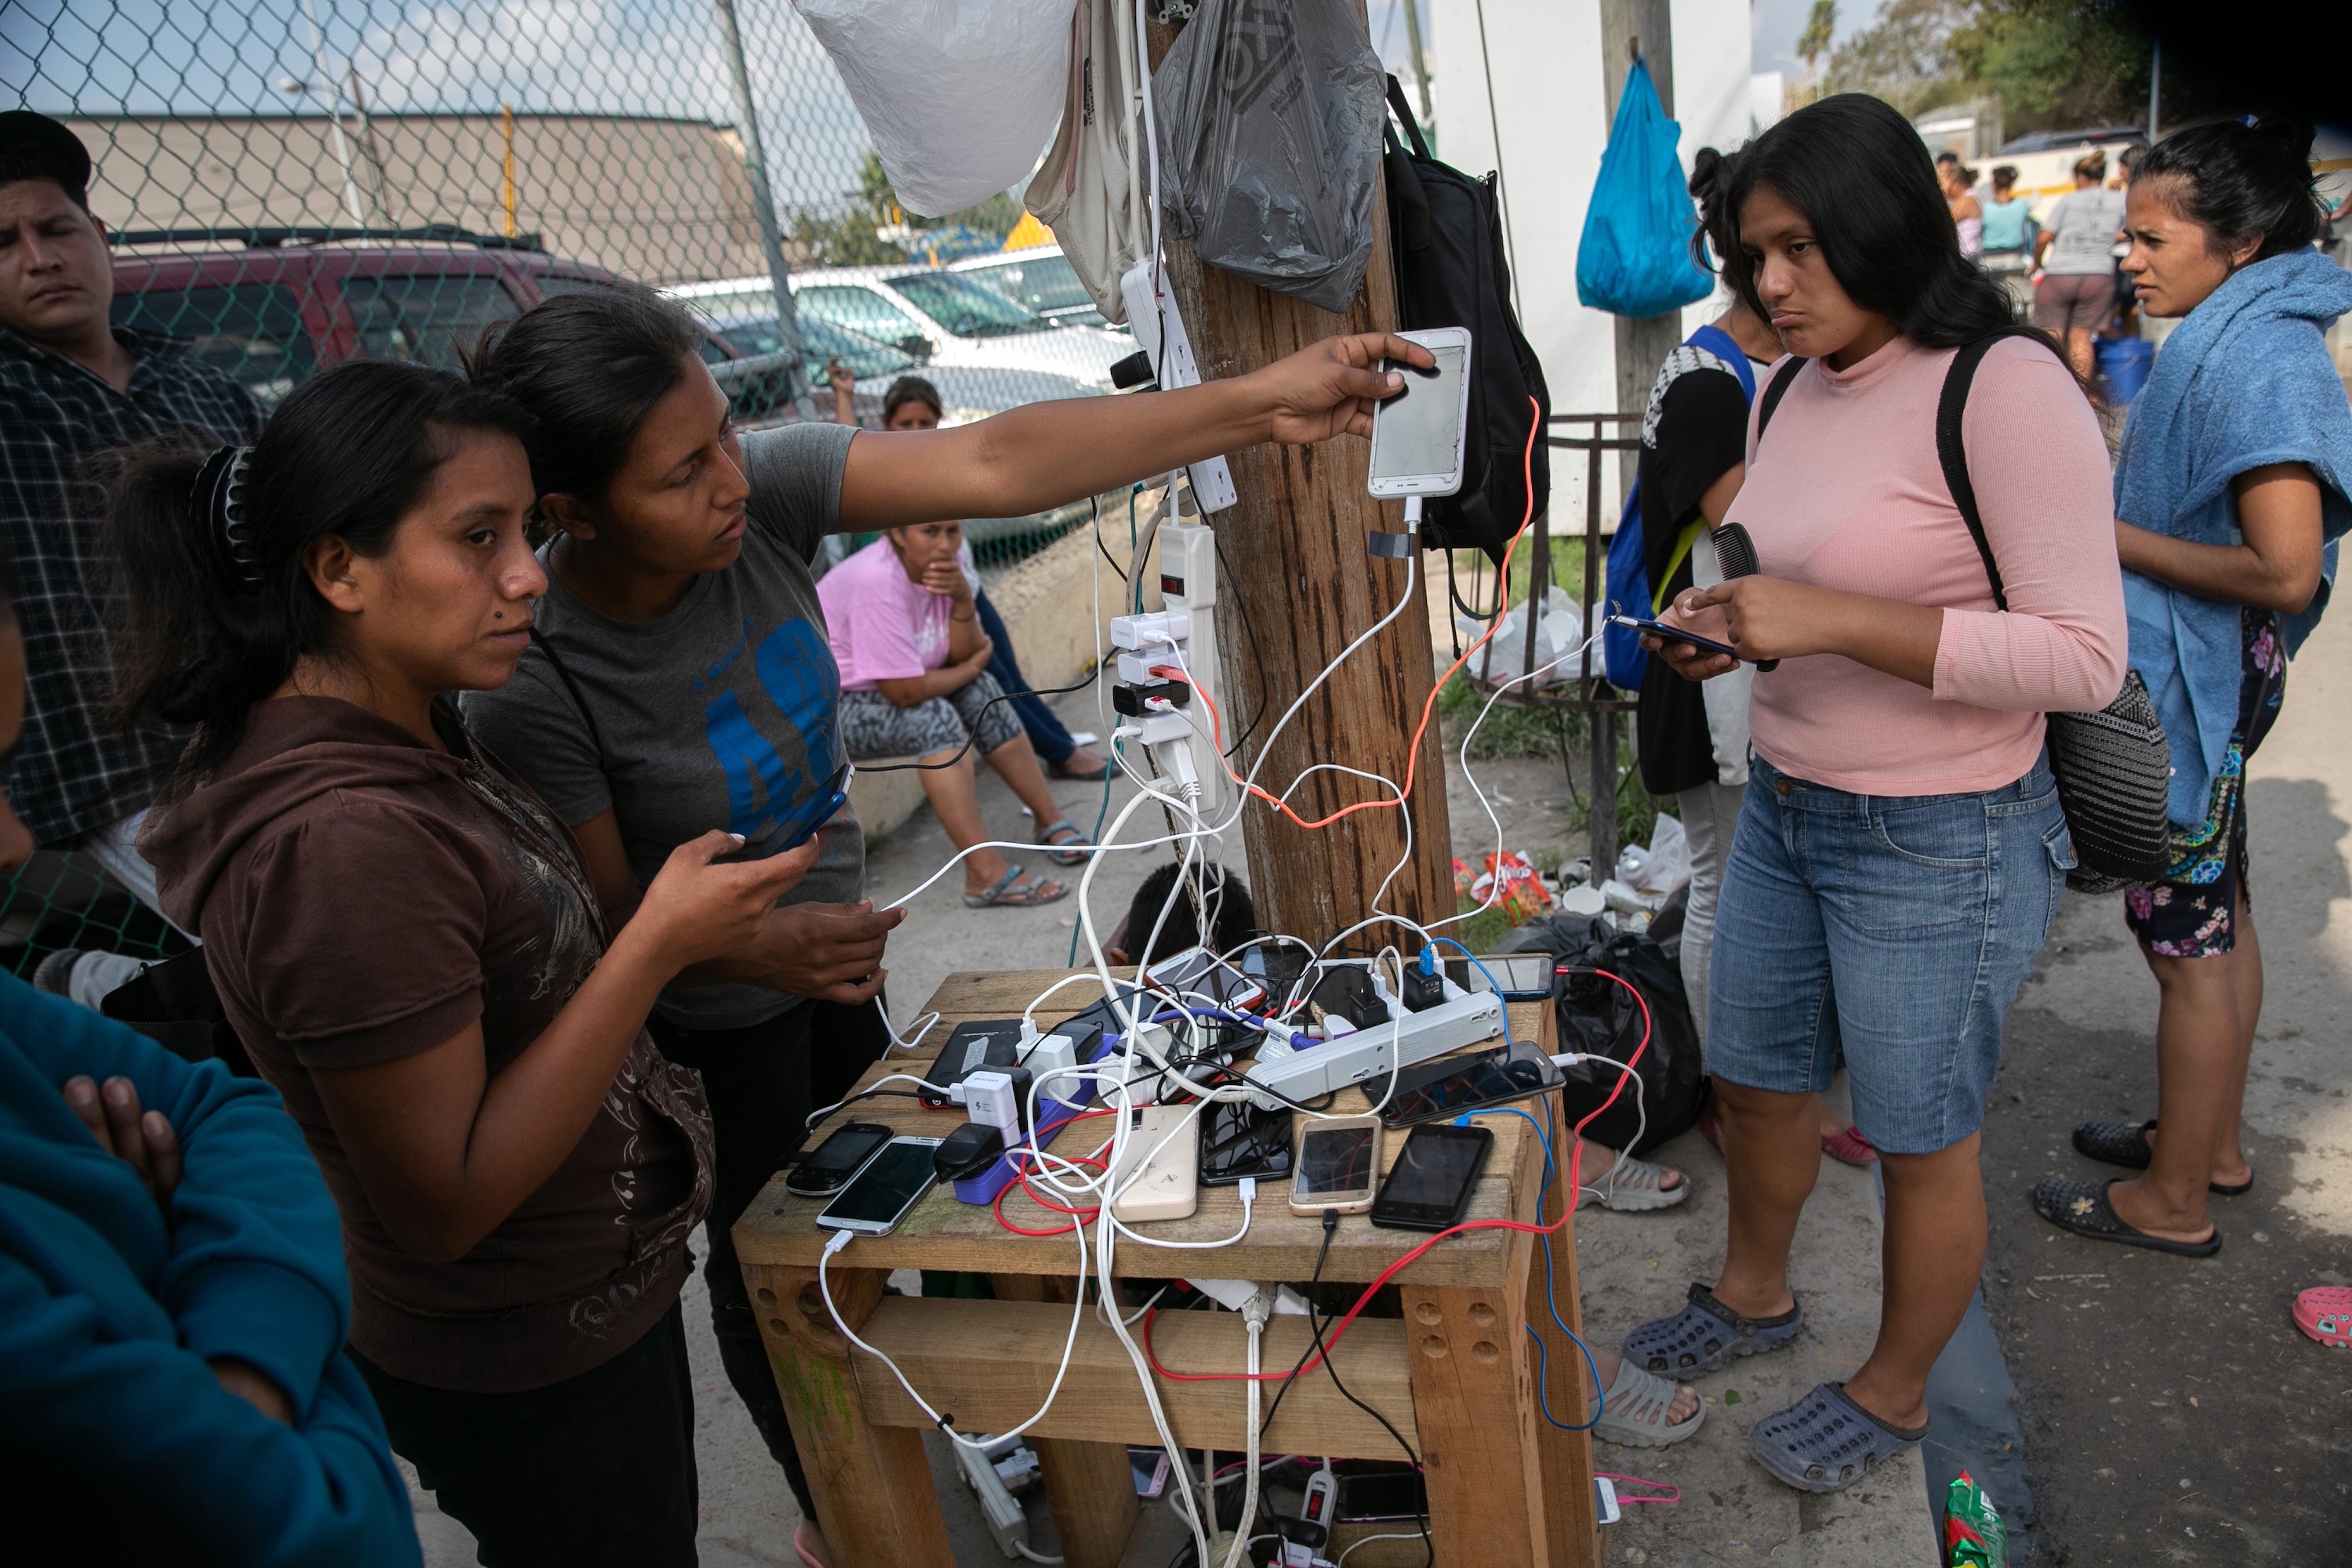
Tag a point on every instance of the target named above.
point(1862, 177)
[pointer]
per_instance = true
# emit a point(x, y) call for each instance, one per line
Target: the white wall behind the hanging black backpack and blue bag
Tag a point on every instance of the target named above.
point(1551, 112)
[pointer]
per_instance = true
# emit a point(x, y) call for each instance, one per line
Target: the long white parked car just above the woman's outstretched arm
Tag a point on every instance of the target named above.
point(937, 316)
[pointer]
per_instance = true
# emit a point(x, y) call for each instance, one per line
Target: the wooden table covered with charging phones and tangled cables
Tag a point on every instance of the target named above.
point(1455, 1374)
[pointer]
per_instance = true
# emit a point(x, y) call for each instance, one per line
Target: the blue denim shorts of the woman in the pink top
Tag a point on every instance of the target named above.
point(1890, 930)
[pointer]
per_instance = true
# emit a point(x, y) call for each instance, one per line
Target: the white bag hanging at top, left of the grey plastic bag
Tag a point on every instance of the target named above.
point(958, 95)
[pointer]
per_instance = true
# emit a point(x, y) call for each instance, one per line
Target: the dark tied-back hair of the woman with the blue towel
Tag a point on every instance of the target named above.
point(2243, 182)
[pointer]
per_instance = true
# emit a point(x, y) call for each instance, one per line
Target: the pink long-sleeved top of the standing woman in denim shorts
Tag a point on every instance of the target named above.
point(1847, 495)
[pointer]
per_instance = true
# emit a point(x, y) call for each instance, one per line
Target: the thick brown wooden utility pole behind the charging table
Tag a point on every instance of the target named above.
point(1297, 589)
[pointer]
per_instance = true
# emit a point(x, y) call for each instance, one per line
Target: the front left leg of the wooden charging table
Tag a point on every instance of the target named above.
point(874, 1485)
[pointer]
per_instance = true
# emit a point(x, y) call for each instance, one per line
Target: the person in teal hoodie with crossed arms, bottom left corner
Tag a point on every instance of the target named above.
point(173, 1299)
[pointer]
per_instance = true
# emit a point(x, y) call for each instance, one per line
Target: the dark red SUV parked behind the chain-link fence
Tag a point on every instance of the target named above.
point(274, 304)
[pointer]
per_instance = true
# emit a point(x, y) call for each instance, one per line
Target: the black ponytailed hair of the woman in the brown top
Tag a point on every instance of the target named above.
point(206, 626)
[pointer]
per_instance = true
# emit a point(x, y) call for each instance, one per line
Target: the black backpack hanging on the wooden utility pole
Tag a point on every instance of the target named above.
point(1448, 239)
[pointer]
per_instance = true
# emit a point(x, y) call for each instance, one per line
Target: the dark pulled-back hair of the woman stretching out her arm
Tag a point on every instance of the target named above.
point(589, 370)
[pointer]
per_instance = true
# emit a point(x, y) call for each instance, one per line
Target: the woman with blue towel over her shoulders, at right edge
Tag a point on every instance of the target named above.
point(2231, 495)
